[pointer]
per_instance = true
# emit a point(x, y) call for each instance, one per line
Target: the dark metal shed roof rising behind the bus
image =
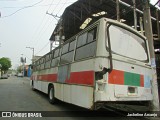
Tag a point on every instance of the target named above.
point(75, 14)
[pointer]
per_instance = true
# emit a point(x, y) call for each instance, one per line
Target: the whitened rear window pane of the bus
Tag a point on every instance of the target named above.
point(126, 43)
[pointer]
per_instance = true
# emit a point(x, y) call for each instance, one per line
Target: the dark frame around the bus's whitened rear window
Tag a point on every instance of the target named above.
point(107, 39)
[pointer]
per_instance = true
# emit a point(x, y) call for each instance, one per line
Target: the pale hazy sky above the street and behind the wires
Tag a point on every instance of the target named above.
point(24, 23)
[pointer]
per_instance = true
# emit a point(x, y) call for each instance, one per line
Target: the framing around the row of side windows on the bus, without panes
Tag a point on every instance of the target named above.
point(74, 38)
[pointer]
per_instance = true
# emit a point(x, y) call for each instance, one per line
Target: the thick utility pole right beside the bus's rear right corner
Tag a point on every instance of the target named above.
point(149, 34)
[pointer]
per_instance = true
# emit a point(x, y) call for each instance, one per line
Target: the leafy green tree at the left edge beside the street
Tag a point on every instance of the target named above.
point(5, 64)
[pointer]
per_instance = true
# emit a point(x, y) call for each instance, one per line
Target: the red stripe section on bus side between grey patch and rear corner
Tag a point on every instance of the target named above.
point(84, 77)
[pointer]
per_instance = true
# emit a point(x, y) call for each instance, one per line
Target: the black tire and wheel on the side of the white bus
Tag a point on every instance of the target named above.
point(51, 96)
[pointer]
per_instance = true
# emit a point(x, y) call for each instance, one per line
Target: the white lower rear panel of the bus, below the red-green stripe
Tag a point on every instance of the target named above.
point(123, 93)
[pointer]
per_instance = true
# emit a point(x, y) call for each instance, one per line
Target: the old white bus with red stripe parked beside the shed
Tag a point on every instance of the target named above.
point(106, 62)
